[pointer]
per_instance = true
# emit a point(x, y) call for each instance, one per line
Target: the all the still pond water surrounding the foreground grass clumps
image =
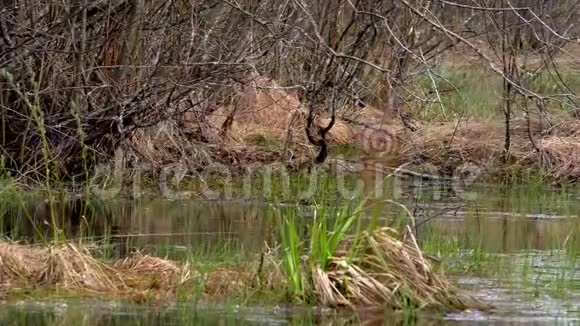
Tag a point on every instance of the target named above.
point(513, 248)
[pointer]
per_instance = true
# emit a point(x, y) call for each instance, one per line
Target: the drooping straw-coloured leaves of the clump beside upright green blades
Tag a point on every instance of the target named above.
point(385, 270)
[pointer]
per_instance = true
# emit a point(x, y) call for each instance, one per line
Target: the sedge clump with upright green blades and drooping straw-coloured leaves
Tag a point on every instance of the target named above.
point(344, 265)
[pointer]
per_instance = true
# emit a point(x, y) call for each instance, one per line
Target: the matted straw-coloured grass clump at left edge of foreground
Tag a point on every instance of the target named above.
point(69, 267)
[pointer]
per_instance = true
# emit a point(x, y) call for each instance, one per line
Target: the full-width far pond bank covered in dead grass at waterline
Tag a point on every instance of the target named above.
point(542, 148)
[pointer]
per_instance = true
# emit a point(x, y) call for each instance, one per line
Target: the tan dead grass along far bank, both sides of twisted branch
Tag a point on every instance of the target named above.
point(264, 123)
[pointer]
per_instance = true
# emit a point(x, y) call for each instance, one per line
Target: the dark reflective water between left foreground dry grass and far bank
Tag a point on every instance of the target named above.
point(138, 225)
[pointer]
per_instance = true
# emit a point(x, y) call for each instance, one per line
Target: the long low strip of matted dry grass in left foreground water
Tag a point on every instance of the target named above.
point(69, 268)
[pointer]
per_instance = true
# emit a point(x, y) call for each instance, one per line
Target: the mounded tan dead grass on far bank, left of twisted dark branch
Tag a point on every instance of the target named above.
point(261, 123)
